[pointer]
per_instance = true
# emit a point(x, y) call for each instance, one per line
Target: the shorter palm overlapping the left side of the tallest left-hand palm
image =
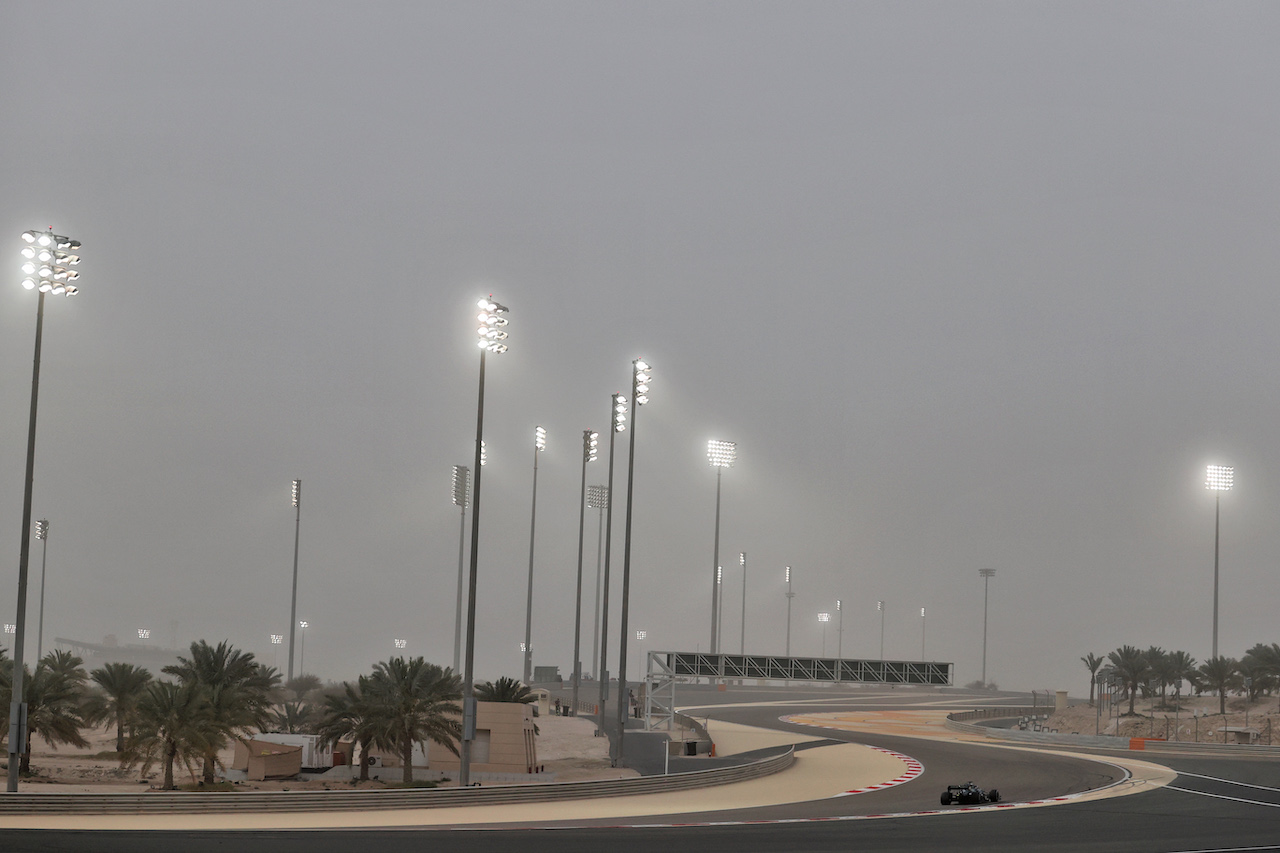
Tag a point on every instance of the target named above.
point(175, 723)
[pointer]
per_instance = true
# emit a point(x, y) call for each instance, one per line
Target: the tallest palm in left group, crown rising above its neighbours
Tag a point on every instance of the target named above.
point(239, 694)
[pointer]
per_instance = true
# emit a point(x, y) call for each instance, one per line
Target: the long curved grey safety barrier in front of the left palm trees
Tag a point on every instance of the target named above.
point(362, 801)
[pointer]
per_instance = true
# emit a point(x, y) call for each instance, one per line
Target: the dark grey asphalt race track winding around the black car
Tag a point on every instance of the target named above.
point(1215, 805)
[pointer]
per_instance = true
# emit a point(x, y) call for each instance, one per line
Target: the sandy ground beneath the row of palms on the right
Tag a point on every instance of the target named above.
point(1195, 719)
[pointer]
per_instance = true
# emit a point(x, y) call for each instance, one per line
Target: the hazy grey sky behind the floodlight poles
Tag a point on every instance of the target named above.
point(973, 285)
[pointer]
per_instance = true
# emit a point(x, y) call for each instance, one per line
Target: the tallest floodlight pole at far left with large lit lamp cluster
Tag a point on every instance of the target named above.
point(48, 271)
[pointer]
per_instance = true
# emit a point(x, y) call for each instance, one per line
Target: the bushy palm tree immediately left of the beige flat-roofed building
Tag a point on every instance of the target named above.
point(414, 703)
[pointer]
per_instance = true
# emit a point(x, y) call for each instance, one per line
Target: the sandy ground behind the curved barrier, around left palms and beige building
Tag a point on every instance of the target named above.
point(566, 747)
